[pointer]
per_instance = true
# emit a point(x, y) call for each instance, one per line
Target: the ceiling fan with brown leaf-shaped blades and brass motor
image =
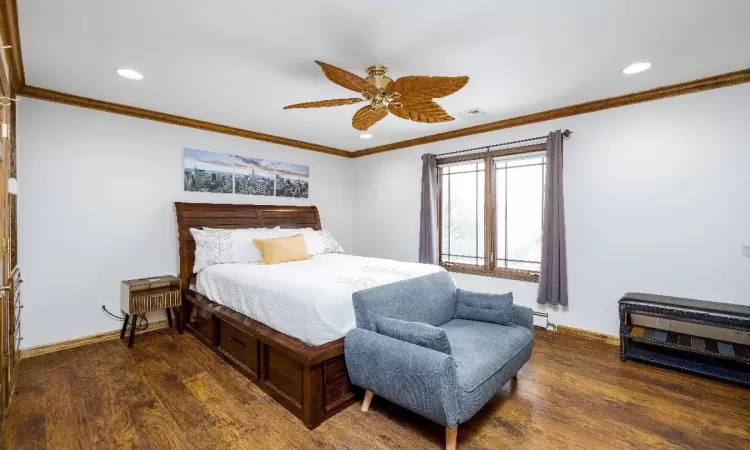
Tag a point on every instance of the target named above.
point(409, 97)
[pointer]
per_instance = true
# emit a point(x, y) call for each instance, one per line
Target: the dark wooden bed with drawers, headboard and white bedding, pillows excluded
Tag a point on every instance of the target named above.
point(286, 337)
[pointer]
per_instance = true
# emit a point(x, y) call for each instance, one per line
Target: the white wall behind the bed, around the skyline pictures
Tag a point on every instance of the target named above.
point(95, 207)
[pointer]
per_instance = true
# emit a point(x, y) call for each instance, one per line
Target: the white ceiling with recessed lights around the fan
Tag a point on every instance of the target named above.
point(237, 62)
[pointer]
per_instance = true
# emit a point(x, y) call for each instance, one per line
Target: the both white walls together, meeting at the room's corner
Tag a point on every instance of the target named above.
point(656, 201)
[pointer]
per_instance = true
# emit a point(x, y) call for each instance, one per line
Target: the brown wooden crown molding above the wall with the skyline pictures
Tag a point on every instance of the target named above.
point(116, 108)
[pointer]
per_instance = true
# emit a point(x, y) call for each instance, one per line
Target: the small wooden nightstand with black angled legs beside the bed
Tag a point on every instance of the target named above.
point(149, 294)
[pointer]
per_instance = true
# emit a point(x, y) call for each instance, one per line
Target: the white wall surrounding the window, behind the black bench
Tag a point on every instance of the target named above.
point(656, 201)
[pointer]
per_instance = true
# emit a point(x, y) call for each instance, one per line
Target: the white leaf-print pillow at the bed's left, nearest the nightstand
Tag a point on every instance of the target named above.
point(222, 246)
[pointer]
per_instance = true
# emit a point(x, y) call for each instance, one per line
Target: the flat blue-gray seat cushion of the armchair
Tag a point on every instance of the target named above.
point(481, 349)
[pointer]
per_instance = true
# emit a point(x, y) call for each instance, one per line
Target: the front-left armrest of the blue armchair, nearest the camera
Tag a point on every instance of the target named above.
point(419, 379)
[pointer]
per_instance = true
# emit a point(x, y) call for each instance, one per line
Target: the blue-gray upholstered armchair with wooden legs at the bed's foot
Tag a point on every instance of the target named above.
point(412, 365)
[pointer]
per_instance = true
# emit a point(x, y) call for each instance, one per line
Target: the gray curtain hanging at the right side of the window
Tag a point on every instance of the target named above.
point(553, 278)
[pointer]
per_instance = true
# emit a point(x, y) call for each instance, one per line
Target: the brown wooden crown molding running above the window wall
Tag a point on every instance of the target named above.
point(690, 87)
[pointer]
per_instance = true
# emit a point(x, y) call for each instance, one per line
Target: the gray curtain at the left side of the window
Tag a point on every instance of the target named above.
point(428, 237)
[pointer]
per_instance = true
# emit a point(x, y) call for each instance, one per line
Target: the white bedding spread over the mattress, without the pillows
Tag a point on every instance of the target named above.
point(310, 300)
